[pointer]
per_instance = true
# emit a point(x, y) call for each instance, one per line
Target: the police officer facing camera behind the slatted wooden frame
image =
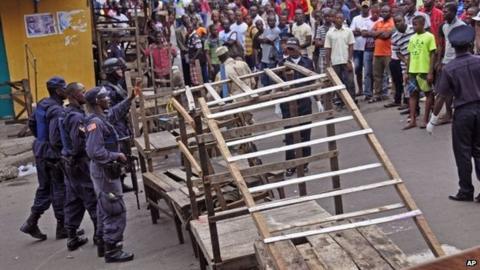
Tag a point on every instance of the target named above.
point(303, 106)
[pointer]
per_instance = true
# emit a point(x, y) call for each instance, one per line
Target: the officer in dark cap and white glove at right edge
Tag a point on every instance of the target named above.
point(461, 79)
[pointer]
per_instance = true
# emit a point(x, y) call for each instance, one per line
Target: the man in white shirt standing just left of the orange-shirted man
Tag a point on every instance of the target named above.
point(360, 22)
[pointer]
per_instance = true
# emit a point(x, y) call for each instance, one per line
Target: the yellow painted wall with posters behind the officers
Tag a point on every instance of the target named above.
point(68, 54)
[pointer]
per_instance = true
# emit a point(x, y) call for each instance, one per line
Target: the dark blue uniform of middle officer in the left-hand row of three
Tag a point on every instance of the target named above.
point(80, 195)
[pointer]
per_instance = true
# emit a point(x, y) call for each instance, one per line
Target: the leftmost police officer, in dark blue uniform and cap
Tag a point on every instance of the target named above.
point(46, 148)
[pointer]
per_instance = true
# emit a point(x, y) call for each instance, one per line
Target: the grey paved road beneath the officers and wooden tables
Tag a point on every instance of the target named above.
point(424, 162)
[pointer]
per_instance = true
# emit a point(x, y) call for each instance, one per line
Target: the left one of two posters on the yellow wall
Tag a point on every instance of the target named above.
point(40, 25)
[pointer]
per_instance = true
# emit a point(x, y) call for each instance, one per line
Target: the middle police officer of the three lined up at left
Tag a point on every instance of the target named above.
point(80, 195)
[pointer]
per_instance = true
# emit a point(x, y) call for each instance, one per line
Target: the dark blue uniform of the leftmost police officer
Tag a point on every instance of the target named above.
point(46, 148)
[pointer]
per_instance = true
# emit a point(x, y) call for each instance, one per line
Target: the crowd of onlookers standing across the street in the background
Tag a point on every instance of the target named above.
point(378, 49)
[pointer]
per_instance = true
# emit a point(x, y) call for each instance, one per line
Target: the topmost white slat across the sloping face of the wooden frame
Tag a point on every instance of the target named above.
point(275, 101)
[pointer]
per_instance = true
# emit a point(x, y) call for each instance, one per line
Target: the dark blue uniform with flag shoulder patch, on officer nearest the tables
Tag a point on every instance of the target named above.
point(103, 148)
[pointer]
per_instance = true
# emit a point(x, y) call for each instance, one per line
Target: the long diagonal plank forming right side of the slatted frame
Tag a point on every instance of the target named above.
point(404, 194)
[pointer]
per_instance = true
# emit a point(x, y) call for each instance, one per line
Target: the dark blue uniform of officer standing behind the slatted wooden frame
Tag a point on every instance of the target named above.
point(304, 107)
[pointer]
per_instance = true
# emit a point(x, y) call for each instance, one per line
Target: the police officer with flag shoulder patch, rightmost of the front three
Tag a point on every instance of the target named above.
point(104, 152)
